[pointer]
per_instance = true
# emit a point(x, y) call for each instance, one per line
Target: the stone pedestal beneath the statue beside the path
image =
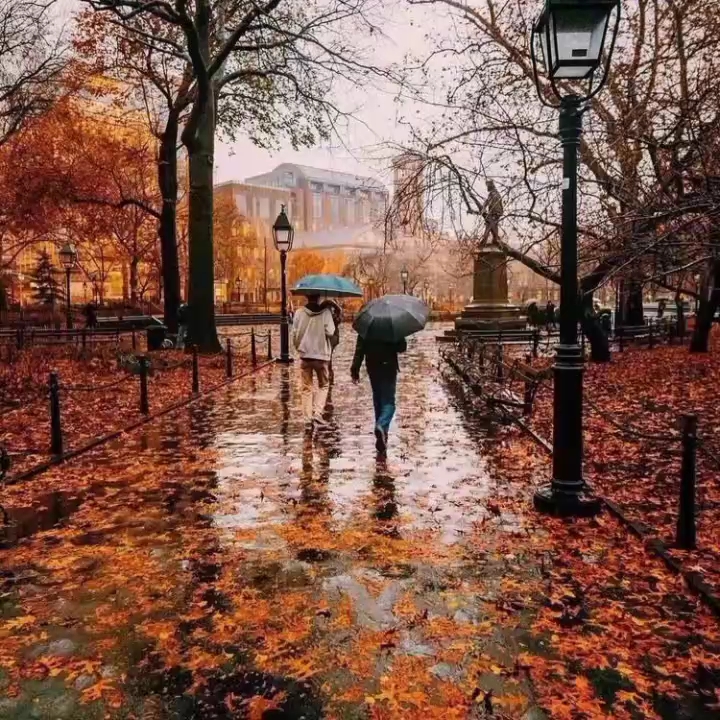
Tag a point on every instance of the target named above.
point(489, 308)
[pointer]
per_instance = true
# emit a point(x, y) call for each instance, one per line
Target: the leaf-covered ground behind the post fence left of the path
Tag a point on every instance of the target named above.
point(97, 396)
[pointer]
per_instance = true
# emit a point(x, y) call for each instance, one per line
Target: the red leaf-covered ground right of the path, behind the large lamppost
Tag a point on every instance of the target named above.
point(632, 451)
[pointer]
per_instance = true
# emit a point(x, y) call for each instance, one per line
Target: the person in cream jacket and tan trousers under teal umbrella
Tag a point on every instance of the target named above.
point(313, 328)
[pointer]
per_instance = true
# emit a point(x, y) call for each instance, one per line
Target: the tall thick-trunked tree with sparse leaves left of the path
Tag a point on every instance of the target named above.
point(249, 58)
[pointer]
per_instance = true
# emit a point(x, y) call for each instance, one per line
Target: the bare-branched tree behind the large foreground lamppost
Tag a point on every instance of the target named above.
point(643, 152)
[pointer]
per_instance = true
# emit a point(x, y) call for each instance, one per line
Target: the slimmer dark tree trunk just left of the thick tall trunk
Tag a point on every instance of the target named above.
point(167, 181)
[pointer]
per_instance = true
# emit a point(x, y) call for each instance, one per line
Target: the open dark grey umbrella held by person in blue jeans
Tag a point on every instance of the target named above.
point(391, 318)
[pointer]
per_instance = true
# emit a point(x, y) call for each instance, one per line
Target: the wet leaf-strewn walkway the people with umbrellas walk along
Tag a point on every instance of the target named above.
point(218, 563)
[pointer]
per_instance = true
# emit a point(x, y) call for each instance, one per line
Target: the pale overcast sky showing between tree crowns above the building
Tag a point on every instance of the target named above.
point(359, 148)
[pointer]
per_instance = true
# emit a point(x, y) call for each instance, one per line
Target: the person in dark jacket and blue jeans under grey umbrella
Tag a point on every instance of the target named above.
point(381, 361)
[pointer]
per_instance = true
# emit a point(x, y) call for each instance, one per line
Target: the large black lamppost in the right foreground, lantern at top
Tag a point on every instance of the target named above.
point(572, 34)
